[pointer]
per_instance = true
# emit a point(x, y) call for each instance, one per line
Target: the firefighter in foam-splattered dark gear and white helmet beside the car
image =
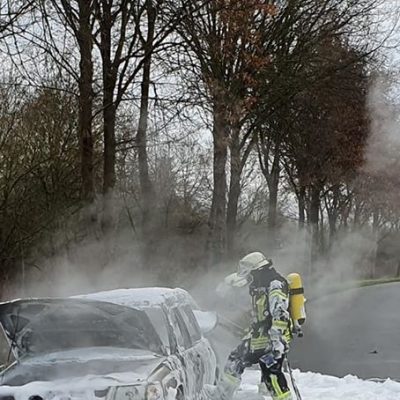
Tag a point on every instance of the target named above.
point(267, 342)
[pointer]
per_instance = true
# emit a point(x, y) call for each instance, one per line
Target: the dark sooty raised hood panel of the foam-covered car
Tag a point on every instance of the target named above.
point(37, 327)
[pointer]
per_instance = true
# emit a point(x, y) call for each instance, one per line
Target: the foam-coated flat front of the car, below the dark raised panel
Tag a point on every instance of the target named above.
point(95, 367)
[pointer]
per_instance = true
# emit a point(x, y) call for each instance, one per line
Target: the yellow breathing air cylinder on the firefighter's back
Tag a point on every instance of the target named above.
point(297, 302)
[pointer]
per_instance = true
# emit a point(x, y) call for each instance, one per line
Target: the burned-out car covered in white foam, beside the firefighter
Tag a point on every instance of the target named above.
point(130, 343)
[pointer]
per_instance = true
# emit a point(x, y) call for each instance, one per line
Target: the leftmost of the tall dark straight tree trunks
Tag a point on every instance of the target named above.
point(85, 42)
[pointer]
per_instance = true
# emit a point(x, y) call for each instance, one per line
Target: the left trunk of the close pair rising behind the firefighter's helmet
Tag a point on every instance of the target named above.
point(217, 221)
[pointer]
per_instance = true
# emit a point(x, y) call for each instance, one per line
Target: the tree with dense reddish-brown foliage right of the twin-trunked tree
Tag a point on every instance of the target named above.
point(328, 133)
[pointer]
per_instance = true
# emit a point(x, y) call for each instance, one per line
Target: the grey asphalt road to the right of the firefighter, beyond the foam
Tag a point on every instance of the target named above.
point(355, 332)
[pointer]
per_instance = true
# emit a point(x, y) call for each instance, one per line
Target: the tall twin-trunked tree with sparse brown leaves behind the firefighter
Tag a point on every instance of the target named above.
point(223, 38)
